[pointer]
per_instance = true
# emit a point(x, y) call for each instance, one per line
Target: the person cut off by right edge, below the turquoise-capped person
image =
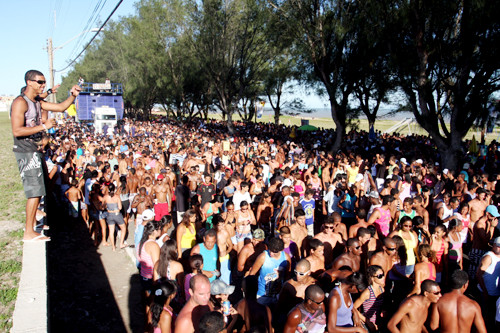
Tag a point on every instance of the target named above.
point(488, 277)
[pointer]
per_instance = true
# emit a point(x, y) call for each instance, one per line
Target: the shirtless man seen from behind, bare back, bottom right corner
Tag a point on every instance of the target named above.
point(455, 312)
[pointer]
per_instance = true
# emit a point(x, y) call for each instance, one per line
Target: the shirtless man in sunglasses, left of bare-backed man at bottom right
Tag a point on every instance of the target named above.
point(412, 313)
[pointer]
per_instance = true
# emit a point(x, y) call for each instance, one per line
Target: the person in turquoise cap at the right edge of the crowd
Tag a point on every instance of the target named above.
point(482, 234)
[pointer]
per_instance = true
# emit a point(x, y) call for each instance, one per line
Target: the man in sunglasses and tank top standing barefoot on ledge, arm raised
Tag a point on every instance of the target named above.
point(29, 120)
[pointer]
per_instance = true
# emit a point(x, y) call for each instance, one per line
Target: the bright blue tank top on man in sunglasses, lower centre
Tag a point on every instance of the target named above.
point(270, 280)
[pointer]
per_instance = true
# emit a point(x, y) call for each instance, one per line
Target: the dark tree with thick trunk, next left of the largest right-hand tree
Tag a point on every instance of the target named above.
point(325, 32)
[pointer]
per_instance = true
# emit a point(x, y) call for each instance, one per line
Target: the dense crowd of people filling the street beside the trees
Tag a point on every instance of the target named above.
point(259, 232)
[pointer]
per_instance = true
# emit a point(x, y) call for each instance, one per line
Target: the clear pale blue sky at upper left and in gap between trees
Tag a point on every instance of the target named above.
point(26, 25)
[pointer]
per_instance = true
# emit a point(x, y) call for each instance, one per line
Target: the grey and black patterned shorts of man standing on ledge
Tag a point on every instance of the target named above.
point(31, 168)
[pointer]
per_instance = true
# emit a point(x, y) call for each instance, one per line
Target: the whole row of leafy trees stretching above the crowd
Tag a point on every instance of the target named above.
point(225, 56)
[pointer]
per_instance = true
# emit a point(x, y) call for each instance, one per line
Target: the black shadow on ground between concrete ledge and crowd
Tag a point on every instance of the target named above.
point(80, 295)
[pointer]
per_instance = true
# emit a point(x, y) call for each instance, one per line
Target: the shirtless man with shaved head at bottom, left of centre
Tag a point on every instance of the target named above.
point(197, 305)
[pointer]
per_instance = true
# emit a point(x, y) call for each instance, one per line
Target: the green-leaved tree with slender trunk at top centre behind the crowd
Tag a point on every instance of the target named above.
point(229, 39)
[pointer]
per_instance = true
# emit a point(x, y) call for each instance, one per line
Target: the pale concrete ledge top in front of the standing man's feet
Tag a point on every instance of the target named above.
point(30, 313)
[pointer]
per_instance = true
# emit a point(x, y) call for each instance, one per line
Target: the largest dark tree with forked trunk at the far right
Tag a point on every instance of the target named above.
point(445, 58)
